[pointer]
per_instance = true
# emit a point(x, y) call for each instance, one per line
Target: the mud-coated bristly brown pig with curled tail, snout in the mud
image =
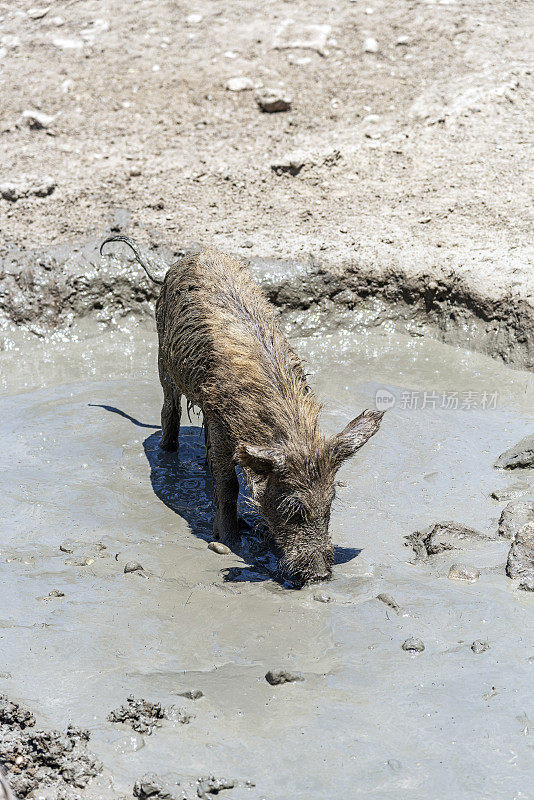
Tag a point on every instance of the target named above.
point(221, 347)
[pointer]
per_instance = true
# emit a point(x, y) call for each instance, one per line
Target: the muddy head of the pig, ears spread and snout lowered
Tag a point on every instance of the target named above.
point(293, 486)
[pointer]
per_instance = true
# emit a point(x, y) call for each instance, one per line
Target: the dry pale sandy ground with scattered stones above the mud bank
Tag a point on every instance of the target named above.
point(415, 153)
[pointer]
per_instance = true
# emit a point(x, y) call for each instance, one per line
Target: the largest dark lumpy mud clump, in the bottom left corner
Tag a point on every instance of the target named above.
point(38, 758)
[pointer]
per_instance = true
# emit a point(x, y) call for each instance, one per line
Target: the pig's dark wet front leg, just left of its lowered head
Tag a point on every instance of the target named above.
point(226, 489)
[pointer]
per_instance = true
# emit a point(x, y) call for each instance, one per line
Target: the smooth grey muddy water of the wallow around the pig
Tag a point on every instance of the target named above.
point(80, 465)
